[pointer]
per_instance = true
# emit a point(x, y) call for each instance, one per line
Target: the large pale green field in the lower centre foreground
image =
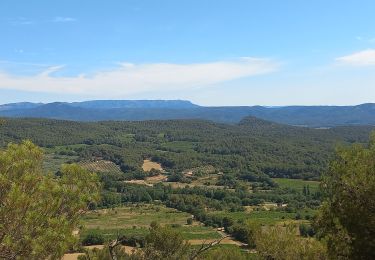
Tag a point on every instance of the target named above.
point(135, 220)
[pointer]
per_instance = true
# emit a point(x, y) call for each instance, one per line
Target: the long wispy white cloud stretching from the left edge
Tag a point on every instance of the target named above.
point(140, 78)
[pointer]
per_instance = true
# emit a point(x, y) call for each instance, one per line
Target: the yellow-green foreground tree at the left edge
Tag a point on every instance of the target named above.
point(39, 212)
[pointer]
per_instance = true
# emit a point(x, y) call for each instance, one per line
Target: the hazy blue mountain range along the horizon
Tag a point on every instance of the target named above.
point(136, 110)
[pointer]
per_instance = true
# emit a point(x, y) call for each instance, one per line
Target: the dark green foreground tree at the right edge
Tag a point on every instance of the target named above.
point(347, 218)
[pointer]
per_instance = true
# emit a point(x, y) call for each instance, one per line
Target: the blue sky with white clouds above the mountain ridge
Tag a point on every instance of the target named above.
point(211, 52)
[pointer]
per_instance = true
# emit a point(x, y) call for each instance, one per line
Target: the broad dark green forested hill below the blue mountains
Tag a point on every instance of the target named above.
point(252, 147)
